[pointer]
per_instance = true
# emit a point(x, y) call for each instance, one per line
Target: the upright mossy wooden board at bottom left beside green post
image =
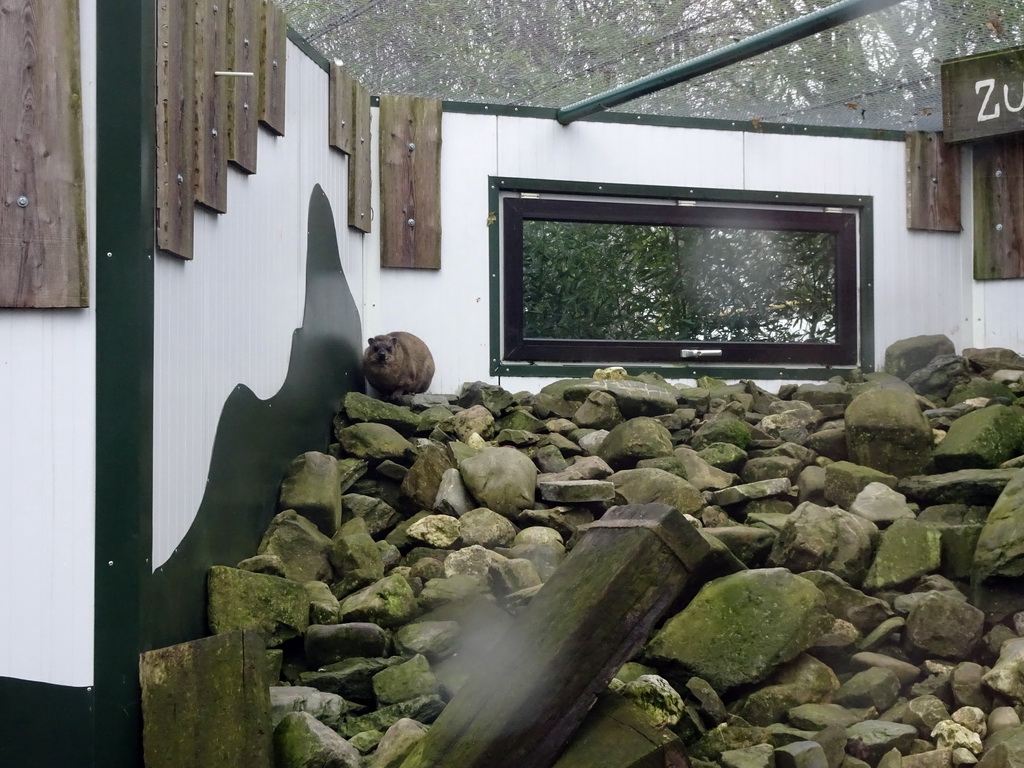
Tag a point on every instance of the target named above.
point(206, 703)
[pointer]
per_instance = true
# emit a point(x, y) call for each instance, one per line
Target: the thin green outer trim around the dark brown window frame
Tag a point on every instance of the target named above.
point(866, 275)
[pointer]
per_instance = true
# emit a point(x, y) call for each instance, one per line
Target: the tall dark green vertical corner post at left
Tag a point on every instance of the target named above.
point(125, 247)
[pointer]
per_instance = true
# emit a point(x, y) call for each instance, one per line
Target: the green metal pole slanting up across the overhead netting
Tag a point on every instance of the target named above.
point(777, 37)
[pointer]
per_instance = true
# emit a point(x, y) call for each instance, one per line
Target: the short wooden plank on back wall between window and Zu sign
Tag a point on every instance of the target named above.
point(933, 195)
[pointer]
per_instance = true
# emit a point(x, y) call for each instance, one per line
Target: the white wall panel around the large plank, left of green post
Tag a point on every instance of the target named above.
point(48, 462)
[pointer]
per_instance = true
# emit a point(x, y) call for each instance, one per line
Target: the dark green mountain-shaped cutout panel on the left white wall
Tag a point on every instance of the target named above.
point(258, 440)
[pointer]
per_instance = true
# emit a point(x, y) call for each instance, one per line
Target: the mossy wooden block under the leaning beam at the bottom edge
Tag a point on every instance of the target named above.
point(618, 735)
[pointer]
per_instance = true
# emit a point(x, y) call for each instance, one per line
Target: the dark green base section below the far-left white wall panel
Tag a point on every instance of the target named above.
point(46, 726)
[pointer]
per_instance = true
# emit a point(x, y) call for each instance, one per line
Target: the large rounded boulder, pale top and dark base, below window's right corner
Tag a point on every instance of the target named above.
point(886, 431)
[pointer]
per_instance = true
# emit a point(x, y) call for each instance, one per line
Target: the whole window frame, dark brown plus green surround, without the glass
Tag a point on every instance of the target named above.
point(846, 217)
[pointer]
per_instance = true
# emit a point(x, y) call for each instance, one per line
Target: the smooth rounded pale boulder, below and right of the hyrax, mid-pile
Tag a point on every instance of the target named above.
point(501, 480)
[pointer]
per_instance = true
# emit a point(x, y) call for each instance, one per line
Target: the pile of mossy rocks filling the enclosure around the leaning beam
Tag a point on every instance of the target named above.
point(866, 607)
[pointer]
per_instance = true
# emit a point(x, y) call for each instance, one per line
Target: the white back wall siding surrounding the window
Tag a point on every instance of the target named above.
point(919, 281)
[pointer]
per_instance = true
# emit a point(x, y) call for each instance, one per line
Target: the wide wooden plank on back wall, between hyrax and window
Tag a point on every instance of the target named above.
point(411, 150)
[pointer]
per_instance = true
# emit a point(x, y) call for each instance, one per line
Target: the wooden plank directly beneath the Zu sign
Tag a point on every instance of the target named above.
point(999, 208)
